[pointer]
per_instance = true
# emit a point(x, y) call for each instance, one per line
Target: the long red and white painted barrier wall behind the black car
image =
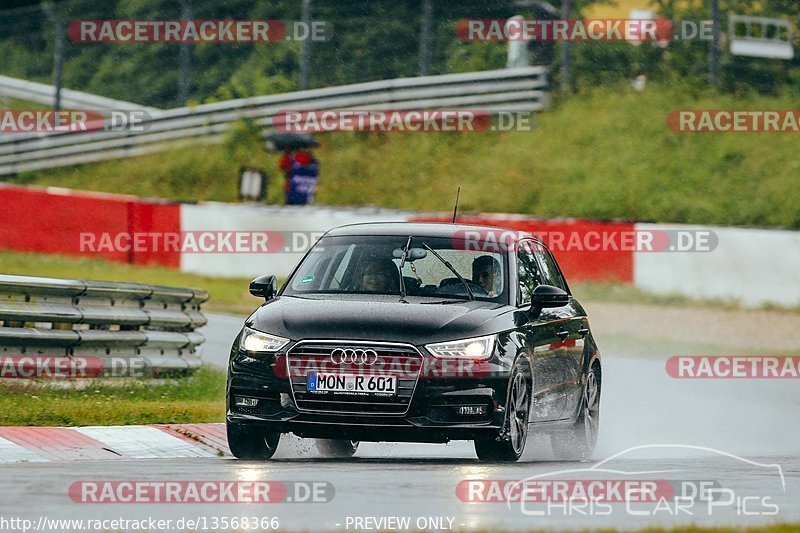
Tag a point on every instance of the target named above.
point(753, 266)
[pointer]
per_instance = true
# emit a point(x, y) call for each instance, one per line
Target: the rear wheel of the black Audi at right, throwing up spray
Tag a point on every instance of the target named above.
point(578, 442)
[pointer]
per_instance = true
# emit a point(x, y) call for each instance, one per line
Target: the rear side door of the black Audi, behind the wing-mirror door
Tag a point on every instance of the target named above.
point(570, 328)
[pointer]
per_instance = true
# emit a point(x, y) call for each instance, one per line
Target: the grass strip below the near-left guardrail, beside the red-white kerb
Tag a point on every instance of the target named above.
point(199, 398)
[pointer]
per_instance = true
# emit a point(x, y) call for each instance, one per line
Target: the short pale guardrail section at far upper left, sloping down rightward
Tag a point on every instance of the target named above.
point(42, 93)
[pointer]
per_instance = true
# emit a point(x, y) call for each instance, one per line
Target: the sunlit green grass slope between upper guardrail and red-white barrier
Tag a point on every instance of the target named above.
point(612, 144)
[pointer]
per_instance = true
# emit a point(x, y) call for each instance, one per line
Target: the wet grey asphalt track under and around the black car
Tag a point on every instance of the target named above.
point(754, 420)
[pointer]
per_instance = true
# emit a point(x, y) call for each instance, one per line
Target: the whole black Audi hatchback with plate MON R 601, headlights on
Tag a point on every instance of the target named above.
point(416, 332)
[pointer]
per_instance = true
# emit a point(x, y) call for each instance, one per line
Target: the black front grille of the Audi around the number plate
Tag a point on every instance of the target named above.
point(402, 360)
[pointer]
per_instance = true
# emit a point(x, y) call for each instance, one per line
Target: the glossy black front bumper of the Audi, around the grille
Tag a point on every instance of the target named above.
point(443, 405)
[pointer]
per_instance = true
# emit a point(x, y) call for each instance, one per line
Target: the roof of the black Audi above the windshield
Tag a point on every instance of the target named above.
point(428, 229)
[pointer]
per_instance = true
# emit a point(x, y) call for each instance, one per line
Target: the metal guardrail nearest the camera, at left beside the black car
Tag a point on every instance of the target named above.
point(130, 325)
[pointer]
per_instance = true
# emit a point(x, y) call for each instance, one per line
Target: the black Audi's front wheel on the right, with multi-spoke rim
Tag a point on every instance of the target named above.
point(509, 447)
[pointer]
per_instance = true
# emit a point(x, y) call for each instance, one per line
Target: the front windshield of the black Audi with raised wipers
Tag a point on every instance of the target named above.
point(370, 265)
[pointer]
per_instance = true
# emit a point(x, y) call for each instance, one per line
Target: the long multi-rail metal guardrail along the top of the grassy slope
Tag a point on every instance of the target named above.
point(522, 89)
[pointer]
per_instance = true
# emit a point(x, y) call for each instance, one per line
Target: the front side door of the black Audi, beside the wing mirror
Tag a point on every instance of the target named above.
point(539, 335)
